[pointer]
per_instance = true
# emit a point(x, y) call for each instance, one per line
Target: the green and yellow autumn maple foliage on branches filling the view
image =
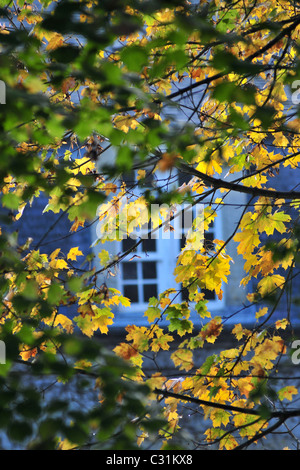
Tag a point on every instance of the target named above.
point(171, 86)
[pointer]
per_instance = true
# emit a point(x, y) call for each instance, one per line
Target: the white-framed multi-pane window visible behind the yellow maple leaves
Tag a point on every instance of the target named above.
point(148, 270)
